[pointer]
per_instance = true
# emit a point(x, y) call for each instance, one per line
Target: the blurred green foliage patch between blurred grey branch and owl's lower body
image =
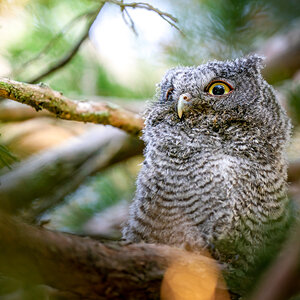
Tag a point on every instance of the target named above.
point(96, 194)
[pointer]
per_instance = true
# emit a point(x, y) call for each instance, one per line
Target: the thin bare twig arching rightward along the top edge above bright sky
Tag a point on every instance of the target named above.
point(166, 16)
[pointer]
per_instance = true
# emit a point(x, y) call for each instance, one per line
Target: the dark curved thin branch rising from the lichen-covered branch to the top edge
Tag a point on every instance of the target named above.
point(67, 58)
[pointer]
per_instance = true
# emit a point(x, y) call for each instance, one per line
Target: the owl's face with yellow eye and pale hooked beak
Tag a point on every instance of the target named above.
point(231, 88)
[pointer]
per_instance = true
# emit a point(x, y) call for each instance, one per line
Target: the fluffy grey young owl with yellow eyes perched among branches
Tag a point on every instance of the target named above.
point(214, 174)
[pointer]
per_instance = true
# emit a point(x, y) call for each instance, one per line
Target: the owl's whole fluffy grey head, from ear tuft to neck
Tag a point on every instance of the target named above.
point(220, 99)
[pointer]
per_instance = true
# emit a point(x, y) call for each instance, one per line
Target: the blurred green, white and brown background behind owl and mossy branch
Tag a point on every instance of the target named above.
point(78, 177)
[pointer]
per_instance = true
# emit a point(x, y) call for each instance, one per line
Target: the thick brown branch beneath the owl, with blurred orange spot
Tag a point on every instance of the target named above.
point(86, 269)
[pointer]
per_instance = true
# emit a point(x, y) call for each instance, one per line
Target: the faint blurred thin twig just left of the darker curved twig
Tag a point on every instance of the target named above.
point(53, 41)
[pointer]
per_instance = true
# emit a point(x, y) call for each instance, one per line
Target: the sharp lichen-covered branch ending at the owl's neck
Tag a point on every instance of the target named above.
point(42, 97)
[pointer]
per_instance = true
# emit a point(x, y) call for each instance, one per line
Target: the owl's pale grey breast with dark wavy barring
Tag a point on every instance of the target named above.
point(197, 189)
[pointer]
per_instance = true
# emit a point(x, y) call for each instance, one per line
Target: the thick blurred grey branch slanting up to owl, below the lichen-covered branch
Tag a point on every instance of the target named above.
point(52, 175)
